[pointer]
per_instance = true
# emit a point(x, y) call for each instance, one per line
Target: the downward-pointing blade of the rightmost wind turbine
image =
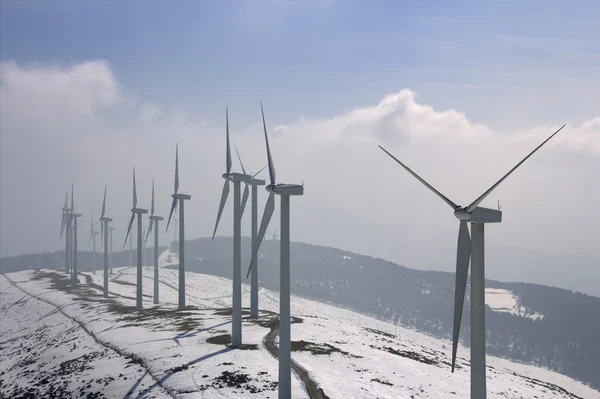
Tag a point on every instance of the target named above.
point(463, 256)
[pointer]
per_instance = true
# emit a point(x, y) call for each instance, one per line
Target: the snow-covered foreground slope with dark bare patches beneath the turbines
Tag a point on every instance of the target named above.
point(74, 341)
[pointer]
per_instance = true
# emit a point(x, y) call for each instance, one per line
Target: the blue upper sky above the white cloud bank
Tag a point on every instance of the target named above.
point(319, 58)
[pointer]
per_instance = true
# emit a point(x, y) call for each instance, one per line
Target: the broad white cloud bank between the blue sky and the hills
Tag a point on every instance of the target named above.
point(59, 123)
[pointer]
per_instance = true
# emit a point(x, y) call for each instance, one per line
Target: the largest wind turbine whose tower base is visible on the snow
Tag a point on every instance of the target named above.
point(237, 179)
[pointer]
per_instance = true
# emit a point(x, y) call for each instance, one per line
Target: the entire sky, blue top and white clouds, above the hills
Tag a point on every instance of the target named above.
point(459, 91)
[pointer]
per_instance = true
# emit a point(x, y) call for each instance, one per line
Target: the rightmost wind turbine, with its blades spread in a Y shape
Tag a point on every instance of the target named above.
point(472, 248)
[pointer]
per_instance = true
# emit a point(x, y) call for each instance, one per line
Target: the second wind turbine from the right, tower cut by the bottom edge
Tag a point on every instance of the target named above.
point(284, 191)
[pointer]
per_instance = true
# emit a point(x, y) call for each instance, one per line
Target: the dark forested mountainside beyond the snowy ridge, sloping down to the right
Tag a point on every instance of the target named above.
point(564, 339)
